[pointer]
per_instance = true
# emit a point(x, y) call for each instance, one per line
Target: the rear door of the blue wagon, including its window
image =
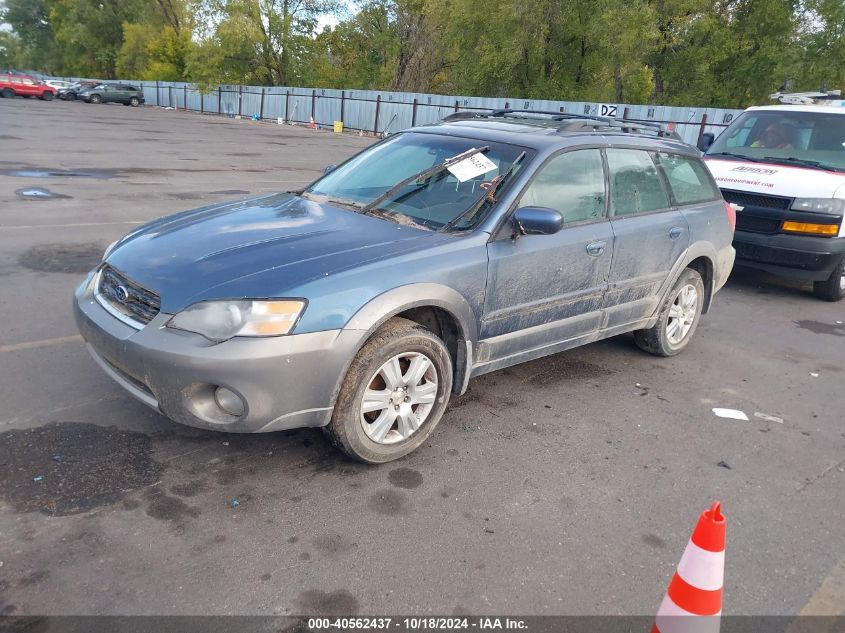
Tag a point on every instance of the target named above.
point(649, 236)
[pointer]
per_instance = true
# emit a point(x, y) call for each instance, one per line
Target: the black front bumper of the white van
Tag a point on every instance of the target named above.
point(797, 256)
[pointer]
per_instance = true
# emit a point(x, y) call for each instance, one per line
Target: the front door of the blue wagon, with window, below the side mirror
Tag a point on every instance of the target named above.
point(543, 289)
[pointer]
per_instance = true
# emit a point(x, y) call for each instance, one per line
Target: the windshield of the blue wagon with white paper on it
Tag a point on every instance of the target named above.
point(372, 182)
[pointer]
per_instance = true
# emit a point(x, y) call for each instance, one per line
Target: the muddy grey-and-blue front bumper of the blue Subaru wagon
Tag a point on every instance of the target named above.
point(286, 382)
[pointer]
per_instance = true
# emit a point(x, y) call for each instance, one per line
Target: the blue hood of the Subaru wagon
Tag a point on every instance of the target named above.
point(185, 257)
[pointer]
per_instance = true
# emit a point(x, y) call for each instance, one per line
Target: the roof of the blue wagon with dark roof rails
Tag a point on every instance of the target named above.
point(545, 134)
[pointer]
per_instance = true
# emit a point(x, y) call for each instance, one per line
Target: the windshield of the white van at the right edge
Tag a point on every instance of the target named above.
point(809, 139)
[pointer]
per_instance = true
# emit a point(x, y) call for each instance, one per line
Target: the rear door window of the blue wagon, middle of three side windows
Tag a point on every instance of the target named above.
point(635, 186)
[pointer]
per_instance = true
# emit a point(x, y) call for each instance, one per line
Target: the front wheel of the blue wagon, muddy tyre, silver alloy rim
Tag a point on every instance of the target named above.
point(394, 393)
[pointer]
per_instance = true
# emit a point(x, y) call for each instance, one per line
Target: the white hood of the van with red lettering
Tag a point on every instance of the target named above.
point(791, 181)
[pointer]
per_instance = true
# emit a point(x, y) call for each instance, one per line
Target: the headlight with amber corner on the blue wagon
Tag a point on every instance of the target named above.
point(221, 320)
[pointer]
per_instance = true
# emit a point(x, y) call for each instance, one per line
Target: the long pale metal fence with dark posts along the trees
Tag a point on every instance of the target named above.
point(379, 112)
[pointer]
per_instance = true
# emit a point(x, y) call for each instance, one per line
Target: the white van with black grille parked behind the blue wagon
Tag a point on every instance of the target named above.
point(782, 168)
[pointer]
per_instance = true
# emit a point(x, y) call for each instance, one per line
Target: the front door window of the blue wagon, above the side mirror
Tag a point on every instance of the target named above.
point(572, 183)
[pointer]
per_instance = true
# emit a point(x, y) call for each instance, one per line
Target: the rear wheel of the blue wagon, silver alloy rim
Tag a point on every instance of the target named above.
point(678, 318)
